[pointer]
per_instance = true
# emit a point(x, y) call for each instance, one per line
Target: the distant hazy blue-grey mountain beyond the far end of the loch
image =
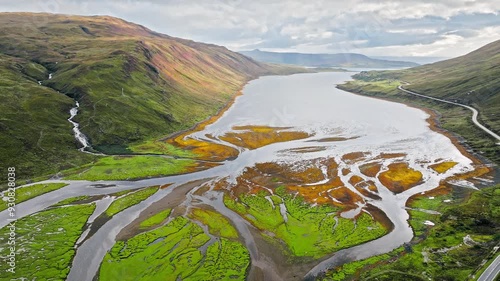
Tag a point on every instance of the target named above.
point(326, 60)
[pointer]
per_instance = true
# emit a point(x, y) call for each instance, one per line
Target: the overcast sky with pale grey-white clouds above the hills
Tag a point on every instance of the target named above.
point(443, 28)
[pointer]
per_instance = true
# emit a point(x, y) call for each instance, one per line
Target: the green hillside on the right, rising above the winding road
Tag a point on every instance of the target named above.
point(470, 79)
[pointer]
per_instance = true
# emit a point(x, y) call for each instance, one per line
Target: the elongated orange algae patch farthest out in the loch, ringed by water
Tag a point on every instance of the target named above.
point(253, 137)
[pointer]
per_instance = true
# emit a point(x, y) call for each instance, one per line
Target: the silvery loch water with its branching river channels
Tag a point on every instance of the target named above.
point(303, 102)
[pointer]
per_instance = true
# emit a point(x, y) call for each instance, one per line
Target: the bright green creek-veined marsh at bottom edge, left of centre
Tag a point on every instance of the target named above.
point(144, 256)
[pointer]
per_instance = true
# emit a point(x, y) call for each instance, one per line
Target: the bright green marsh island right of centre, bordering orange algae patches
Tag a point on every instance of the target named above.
point(309, 231)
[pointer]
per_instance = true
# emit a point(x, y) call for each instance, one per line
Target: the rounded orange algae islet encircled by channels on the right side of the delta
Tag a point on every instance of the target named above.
point(400, 177)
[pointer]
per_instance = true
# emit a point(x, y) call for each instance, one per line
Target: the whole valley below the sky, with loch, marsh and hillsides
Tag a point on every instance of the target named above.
point(136, 155)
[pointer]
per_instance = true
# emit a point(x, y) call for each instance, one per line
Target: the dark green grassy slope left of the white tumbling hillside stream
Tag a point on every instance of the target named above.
point(35, 136)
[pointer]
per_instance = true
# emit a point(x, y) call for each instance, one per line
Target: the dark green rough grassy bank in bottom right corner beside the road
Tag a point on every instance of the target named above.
point(438, 253)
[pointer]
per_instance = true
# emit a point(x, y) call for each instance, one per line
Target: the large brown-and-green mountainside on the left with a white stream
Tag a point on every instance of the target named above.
point(132, 84)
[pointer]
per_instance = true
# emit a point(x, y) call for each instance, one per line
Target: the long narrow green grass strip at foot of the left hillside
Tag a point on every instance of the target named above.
point(130, 168)
